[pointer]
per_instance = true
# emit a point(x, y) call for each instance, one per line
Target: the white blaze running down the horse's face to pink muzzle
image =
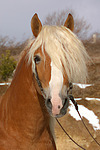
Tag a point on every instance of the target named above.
point(56, 84)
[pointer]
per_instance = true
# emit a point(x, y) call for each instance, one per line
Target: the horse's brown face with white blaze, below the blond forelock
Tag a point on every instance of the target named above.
point(51, 82)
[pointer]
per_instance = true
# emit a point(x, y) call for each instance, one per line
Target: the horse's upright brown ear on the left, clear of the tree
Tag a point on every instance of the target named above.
point(36, 25)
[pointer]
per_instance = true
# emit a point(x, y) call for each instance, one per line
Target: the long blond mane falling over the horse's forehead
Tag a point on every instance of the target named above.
point(64, 49)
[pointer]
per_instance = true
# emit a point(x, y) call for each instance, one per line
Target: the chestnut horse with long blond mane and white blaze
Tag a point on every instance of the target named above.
point(39, 89)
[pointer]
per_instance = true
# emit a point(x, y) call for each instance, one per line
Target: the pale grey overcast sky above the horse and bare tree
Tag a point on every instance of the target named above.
point(15, 15)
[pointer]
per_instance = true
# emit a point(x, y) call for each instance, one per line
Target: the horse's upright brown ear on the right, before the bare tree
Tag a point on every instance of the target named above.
point(69, 23)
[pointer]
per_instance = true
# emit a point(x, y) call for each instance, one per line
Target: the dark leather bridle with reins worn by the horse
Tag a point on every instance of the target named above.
point(70, 97)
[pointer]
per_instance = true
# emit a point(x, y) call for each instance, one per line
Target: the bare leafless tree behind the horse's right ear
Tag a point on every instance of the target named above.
point(81, 27)
